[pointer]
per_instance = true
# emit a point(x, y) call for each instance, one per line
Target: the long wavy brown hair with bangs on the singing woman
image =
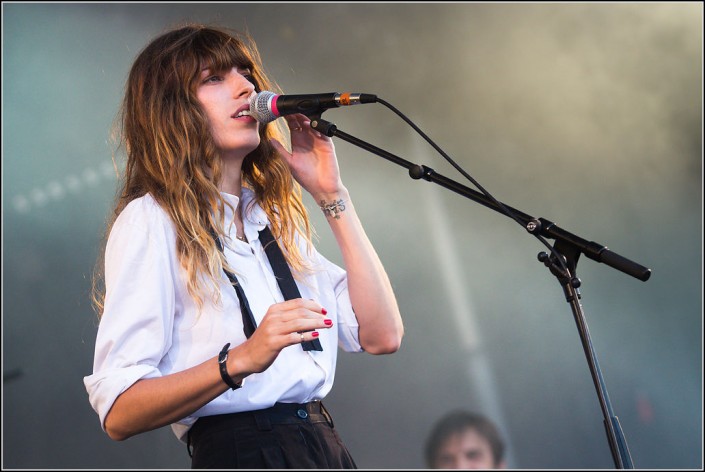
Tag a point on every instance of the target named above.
point(172, 156)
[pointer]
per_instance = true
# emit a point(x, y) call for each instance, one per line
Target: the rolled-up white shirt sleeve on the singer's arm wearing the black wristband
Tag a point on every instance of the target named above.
point(135, 330)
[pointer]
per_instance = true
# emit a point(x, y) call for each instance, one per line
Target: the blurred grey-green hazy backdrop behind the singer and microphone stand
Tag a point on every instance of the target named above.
point(586, 114)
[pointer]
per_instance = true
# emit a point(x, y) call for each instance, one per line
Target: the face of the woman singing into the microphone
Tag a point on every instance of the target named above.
point(224, 96)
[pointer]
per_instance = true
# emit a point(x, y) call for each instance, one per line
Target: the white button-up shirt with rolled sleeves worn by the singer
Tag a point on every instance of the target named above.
point(151, 326)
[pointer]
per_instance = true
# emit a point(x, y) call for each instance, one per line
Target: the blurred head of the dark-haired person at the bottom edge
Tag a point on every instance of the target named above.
point(464, 440)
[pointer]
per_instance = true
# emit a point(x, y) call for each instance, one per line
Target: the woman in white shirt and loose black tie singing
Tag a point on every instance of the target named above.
point(185, 265)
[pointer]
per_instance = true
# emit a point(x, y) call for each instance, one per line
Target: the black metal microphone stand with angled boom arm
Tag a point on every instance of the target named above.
point(567, 246)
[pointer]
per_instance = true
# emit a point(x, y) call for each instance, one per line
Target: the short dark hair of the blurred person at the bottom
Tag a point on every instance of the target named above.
point(459, 421)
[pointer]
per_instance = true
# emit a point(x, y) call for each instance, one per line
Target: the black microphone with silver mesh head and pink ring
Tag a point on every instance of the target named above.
point(267, 106)
